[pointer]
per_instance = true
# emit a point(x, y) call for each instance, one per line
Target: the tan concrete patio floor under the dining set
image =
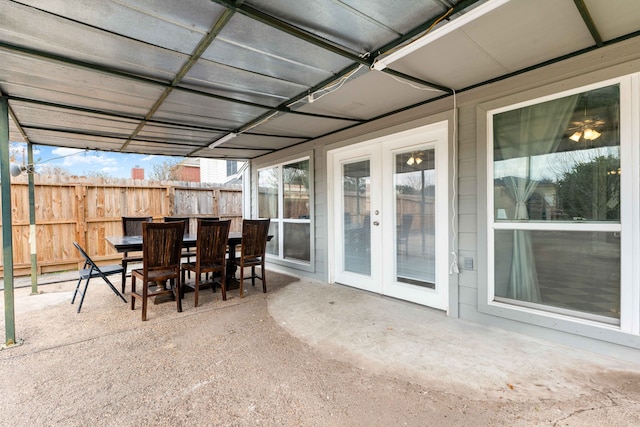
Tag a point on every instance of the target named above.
point(305, 353)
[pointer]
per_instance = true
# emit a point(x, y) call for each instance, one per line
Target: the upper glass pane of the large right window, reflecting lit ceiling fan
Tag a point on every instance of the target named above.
point(546, 170)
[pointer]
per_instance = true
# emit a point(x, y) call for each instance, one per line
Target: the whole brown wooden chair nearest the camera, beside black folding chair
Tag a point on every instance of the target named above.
point(161, 251)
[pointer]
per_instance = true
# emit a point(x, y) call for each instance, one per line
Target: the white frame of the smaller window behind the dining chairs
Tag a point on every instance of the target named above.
point(280, 220)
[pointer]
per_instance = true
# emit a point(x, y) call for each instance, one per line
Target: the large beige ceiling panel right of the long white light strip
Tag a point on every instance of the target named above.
point(519, 34)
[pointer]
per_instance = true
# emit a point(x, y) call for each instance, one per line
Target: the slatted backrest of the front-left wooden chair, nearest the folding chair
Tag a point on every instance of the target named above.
point(161, 244)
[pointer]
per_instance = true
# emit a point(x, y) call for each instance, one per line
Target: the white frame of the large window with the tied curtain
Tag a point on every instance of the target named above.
point(628, 226)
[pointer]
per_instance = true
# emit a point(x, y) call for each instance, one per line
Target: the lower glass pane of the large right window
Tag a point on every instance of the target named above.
point(570, 270)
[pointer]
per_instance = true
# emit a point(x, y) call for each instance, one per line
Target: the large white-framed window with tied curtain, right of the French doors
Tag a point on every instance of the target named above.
point(556, 224)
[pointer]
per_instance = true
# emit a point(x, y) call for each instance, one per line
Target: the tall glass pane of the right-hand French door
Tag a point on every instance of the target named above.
point(414, 181)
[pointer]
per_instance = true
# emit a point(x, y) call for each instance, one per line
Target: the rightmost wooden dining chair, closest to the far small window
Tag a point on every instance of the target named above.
point(253, 251)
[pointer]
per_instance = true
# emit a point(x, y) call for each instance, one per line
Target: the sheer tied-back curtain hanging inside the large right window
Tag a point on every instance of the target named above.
point(523, 133)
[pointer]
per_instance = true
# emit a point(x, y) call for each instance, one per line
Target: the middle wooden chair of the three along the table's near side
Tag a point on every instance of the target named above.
point(210, 255)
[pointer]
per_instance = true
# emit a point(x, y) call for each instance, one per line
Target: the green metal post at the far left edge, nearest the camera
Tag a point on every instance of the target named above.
point(7, 242)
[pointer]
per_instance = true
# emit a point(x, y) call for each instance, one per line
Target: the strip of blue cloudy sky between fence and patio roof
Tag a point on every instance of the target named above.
point(82, 162)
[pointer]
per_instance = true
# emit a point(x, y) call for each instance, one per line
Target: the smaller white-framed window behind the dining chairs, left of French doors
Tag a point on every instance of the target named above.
point(284, 196)
